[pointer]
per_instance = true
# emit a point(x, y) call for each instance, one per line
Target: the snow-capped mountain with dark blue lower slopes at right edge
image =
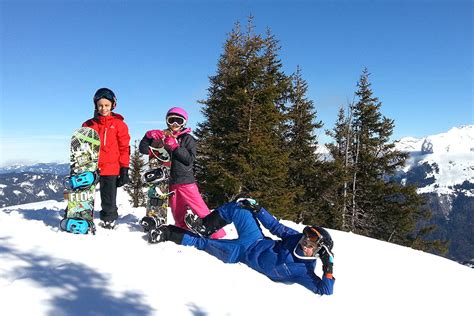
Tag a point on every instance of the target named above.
point(442, 167)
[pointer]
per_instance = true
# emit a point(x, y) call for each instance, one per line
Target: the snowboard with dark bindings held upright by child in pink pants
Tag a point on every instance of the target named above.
point(156, 179)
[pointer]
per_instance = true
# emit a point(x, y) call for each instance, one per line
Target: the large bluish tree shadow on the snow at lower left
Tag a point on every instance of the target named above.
point(85, 291)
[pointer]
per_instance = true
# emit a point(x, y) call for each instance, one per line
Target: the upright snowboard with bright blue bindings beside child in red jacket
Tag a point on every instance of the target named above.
point(81, 183)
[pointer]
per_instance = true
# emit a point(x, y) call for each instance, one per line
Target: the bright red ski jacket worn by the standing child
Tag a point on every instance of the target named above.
point(114, 143)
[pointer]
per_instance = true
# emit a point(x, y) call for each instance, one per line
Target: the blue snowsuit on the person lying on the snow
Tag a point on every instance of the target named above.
point(274, 258)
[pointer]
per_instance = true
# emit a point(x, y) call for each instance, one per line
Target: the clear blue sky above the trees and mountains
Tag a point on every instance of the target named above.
point(158, 54)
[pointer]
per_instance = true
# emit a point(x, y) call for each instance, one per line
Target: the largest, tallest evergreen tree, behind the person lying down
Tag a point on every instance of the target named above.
point(242, 136)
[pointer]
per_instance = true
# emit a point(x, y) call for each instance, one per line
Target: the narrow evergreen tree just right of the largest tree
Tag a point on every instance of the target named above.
point(302, 145)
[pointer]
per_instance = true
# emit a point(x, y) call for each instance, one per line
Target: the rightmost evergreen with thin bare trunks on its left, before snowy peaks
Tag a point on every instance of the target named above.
point(365, 160)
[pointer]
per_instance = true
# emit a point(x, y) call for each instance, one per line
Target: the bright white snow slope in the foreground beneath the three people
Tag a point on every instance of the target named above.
point(46, 271)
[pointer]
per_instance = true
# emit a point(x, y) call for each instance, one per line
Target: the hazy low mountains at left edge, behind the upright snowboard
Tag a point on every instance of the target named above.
point(21, 184)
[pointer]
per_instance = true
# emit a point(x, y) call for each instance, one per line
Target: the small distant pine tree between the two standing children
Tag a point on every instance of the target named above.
point(135, 188)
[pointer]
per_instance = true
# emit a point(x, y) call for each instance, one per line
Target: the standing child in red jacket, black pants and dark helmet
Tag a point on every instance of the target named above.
point(114, 155)
